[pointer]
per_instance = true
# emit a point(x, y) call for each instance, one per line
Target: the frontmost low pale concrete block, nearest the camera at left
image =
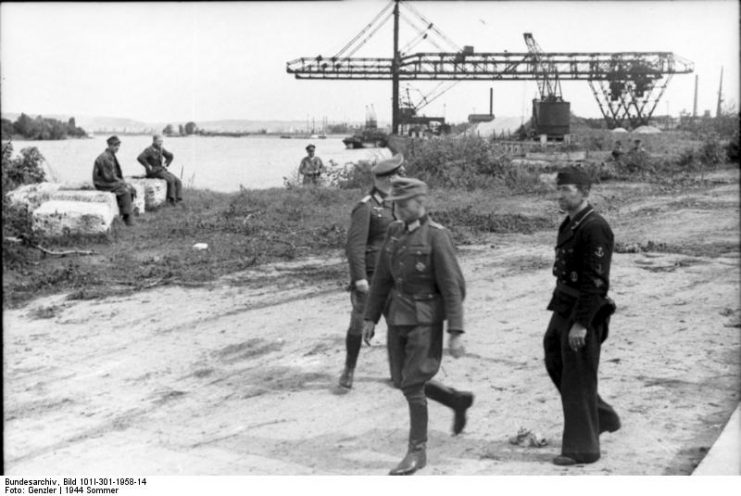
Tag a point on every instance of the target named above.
point(57, 218)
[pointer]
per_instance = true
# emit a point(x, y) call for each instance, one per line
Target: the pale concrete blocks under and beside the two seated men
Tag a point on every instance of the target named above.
point(60, 209)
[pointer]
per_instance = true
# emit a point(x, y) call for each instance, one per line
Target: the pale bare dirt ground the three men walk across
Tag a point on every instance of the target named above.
point(238, 378)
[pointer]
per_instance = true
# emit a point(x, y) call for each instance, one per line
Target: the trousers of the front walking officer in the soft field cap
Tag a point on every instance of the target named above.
point(415, 353)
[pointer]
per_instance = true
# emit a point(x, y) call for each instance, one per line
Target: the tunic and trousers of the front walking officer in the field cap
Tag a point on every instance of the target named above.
point(418, 270)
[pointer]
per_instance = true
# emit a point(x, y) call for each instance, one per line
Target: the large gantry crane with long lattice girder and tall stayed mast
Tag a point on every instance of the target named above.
point(626, 85)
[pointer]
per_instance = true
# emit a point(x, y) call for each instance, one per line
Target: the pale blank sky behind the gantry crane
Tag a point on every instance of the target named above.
point(204, 61)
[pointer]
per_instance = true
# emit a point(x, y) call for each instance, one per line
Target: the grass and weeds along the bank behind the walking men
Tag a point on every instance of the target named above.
point(475, 190)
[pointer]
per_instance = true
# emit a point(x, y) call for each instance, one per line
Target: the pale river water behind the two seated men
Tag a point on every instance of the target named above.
point(215, 163)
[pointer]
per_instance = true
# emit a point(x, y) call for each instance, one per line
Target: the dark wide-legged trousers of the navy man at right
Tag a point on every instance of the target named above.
point(574, 374)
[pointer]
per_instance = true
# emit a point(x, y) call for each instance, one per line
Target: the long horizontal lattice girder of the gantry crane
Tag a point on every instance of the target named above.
point(618, 66)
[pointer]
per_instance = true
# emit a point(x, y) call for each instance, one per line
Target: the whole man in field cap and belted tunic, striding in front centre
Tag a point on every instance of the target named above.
point(418, 270)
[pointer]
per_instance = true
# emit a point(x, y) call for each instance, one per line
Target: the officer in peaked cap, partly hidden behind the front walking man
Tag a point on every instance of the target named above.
point(368, 225)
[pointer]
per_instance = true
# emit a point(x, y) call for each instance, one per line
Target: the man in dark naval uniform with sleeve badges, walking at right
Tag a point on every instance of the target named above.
point(579, 323)
